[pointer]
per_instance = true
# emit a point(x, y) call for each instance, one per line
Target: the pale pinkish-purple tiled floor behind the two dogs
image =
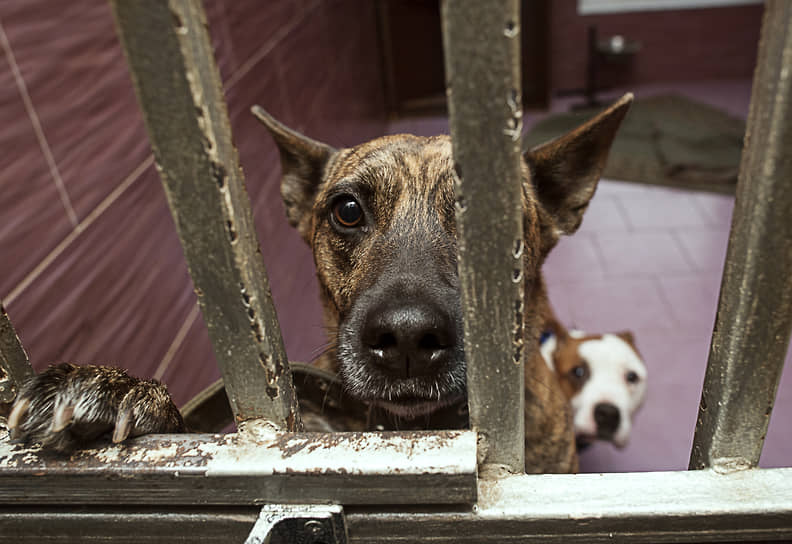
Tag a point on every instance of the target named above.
point(649, 259)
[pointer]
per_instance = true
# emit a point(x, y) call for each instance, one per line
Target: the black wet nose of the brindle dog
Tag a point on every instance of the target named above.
point(409, 339)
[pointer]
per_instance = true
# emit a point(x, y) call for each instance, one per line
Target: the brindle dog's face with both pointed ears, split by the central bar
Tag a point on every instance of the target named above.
point(380, 218)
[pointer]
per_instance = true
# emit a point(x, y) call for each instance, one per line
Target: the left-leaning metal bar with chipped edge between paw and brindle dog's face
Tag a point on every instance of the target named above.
point(178, 86)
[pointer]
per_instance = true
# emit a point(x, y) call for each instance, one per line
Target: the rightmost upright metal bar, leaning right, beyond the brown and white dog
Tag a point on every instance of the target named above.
point(754, 317)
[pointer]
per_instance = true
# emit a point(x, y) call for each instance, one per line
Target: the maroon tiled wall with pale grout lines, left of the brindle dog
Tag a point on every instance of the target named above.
point(92, 269)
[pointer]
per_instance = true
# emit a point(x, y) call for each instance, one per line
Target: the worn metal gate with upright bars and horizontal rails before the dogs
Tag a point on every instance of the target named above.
point(446, 486)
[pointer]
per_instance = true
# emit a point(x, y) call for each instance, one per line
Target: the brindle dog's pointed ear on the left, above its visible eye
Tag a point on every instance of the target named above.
point(303, 162)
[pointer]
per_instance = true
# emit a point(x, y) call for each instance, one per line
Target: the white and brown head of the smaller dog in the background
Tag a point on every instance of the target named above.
point(604, 377)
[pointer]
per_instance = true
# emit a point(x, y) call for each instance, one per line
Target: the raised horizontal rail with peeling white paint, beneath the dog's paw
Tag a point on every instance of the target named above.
point(253, 467)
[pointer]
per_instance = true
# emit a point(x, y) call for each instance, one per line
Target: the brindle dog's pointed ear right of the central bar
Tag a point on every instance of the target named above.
point(565, 171)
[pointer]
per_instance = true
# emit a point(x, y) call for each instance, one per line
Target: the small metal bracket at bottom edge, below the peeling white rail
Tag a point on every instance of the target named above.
point(299, 524)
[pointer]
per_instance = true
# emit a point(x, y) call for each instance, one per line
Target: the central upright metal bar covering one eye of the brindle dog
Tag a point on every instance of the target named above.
point(482, 48)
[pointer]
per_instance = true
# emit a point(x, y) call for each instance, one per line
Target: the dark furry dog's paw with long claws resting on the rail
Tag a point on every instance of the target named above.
point(69, 407)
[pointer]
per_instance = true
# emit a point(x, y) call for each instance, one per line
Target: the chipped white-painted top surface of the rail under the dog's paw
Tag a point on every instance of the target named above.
point(265, 452)
